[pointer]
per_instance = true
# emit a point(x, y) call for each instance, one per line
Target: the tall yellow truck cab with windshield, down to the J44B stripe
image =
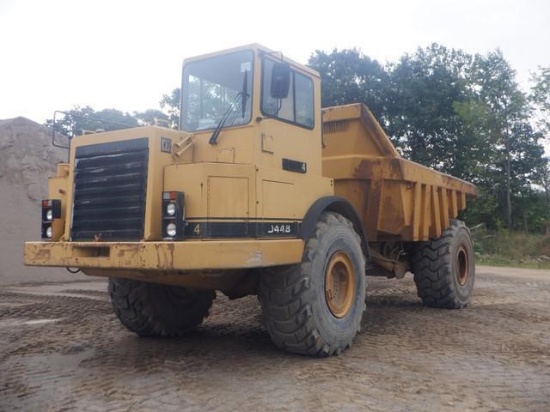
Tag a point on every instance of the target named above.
point(256, 125)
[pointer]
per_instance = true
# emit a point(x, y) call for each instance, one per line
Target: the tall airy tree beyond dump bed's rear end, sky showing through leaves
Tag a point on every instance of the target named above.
point(517, 153)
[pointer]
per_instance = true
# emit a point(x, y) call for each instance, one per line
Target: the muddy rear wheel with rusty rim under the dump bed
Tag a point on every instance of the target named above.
point(444, 268)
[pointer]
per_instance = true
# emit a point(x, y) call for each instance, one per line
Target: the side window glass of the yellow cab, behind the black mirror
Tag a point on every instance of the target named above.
point(297, 107)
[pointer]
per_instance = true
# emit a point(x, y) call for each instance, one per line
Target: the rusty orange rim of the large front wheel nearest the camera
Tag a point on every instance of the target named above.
point(340, 284)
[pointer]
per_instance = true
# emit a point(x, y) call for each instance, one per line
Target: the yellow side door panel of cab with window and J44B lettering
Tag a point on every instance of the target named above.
point(289, 175)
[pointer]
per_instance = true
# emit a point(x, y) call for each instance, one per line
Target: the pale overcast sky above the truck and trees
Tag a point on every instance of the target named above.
point(124, 54)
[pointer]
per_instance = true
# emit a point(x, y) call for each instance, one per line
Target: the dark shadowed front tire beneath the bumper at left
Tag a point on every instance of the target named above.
point(150, 309)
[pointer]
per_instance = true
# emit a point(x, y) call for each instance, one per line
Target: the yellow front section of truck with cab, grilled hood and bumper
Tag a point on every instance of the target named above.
point(245, 164)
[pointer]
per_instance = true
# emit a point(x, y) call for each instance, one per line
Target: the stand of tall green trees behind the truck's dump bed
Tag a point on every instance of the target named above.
point(455, 112)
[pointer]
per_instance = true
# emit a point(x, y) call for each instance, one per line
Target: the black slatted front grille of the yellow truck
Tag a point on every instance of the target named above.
point(110, 184)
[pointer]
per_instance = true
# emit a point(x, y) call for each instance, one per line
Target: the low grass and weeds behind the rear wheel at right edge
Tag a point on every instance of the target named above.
point(515, 249)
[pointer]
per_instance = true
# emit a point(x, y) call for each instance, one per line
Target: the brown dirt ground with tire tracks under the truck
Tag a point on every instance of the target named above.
point(62, 349)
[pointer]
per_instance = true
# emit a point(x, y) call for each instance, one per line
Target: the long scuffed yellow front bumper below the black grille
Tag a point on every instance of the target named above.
point(166, 256)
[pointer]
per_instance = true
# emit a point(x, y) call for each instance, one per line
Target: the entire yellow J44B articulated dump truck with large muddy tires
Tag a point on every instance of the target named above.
point(259, 192)
